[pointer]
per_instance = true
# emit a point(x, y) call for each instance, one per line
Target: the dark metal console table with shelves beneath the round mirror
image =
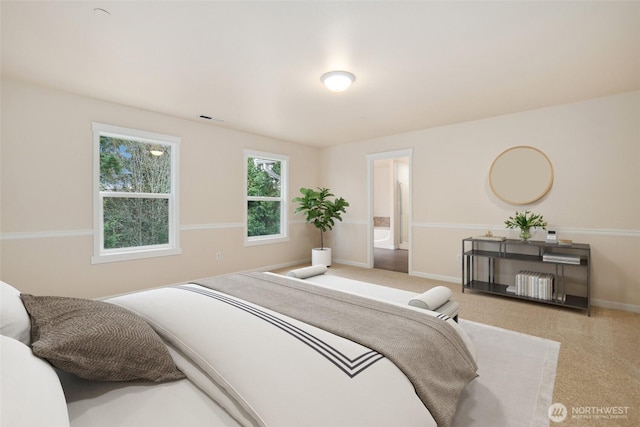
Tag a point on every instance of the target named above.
point(482, 260)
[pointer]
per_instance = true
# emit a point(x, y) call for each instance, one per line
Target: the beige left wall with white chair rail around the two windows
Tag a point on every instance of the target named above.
point(46, 204)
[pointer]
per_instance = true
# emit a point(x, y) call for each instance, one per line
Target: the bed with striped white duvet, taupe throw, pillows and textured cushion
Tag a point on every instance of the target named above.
point(252, 349)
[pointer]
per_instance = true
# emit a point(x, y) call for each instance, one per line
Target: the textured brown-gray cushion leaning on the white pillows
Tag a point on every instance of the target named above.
point(97, 340)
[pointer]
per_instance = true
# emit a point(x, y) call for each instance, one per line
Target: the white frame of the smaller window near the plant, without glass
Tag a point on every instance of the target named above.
point(283, 236)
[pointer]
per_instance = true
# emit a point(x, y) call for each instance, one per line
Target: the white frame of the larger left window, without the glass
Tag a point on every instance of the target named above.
point(102, 255)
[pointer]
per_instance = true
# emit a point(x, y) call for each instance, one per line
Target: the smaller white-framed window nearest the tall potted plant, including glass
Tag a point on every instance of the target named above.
point(266, 198)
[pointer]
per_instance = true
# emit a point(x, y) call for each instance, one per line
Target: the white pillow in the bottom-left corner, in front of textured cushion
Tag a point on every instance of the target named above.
point(31, 391)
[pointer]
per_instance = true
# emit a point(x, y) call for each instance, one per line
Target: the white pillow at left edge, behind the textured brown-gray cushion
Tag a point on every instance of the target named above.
point(14, 319)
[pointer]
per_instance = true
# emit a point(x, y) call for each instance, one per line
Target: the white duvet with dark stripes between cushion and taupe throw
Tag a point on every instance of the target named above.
point(267, 369)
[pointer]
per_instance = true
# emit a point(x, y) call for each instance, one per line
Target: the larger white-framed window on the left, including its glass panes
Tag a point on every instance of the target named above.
point(135, 194)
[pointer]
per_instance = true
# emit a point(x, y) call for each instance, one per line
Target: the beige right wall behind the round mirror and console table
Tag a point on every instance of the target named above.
point(594, 147)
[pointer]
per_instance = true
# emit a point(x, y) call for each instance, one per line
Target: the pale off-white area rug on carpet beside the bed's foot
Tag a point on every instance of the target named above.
point(517, 373)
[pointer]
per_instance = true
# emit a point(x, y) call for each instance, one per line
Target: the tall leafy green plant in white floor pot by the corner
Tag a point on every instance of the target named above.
point(321, 211)
